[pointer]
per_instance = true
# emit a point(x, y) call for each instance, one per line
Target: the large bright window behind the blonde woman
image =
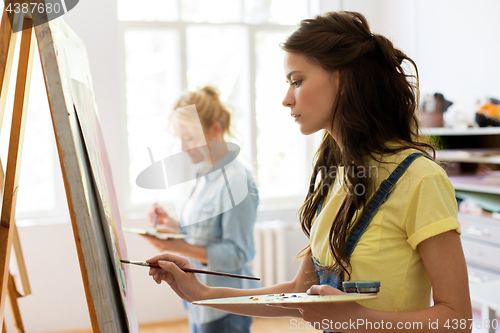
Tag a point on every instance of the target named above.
point(174, 45)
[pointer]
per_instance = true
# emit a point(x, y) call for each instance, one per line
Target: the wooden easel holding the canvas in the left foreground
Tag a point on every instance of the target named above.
point(104, 280)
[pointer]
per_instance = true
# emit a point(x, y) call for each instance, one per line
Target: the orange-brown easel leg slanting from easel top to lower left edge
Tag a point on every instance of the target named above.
point(14, 156)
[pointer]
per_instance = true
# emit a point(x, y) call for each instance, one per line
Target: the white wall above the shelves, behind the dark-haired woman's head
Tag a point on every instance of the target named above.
point(454, 43)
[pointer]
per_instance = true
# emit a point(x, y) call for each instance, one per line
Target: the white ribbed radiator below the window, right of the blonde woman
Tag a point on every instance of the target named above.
point(276, 245)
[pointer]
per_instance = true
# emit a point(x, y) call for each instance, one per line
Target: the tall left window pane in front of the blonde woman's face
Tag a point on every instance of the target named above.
point(152, 84)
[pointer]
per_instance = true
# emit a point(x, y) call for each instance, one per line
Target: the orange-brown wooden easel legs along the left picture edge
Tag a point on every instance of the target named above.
point(8, 233)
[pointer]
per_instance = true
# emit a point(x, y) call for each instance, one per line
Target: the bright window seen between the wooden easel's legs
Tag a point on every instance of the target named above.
point(41, 193)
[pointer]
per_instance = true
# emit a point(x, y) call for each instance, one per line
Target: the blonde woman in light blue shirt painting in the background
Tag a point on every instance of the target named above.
point(220, 235)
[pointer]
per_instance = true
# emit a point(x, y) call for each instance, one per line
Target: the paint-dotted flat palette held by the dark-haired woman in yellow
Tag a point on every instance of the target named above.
point(287, 298)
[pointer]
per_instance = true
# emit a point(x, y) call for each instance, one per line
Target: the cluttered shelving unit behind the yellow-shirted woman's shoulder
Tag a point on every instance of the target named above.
point(481, 232)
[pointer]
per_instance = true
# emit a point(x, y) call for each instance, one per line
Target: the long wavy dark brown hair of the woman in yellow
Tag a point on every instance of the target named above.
point(375, 104)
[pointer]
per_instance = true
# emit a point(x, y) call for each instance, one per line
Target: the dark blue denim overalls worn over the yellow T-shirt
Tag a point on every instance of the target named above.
point(377, 200)
